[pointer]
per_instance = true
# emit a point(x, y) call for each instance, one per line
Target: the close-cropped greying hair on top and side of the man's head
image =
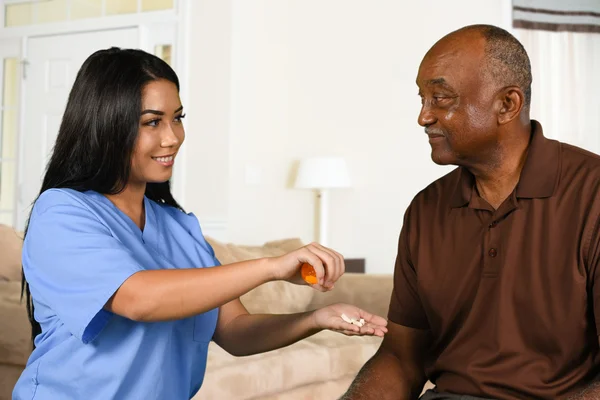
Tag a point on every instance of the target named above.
point(505, 59)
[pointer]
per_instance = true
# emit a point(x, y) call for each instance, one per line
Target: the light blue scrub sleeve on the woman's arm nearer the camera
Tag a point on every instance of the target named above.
point(73, 264)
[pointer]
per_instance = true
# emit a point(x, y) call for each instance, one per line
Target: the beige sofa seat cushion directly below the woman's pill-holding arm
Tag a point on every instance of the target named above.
point(322, 357)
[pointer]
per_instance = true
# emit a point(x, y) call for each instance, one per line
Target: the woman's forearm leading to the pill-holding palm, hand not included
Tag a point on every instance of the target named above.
point(250, 334)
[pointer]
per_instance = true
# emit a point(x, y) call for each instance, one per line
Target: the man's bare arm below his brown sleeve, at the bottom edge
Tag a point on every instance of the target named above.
point(397, 370)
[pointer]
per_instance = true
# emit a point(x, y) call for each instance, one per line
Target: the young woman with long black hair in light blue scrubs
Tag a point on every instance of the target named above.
point(124, 292)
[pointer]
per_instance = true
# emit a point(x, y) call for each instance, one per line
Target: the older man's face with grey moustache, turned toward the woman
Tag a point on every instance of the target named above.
point(457, 100)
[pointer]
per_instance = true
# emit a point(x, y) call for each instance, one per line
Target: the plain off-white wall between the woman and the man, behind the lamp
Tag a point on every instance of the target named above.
point(274, 81)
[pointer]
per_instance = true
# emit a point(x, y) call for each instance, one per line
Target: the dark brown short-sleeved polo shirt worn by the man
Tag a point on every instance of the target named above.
point(511, 296)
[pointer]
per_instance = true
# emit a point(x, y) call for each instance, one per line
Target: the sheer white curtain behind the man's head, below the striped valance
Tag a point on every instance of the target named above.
point(566, 84)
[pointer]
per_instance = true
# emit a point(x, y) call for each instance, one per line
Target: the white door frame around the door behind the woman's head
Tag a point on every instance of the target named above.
point(174, 25)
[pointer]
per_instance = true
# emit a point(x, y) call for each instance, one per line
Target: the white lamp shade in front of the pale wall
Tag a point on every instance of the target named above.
point(322, 173)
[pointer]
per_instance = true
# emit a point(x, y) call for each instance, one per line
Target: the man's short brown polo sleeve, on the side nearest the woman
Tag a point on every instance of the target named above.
point(405, 306)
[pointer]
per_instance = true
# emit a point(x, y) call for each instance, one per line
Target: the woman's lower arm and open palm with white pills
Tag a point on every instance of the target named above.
point(243, 334)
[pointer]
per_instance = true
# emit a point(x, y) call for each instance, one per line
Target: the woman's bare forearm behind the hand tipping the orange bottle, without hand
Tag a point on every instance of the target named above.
point(169, 294)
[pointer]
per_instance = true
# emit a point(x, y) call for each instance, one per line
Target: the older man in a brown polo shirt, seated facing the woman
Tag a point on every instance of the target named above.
point(497, 283)
